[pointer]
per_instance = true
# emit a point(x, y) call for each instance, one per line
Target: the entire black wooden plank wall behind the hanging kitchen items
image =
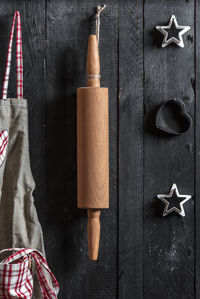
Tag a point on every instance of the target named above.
point(142, 254)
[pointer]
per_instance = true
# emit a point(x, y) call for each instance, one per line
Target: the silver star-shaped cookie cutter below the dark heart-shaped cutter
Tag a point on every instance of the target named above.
point(164, 197)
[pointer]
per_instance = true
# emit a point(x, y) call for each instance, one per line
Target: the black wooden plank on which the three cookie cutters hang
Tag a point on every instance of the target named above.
point(169, 73)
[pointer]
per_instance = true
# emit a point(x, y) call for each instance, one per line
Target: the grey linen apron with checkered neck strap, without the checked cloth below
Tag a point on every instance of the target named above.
point(19, 224)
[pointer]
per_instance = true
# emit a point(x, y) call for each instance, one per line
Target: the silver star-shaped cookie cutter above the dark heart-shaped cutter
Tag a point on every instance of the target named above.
point(163, 30)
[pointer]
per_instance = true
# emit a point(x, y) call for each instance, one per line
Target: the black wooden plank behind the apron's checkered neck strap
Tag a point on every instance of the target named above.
point(33, 25)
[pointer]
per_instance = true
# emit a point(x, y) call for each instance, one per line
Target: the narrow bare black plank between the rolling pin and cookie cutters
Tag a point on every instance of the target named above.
point(131, 150)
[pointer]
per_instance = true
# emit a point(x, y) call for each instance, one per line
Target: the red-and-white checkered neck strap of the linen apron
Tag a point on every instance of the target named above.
point(19, 59)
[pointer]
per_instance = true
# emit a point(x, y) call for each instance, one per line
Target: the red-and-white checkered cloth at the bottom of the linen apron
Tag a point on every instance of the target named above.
point(16, 280)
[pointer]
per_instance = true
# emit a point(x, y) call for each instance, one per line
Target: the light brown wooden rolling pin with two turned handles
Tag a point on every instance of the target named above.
point(93, 147)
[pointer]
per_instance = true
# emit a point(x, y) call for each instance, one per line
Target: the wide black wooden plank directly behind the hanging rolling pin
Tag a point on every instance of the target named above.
point(66, 238)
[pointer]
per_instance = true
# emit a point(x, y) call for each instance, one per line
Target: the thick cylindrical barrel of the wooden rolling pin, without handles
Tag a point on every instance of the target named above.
point(92, 148)
